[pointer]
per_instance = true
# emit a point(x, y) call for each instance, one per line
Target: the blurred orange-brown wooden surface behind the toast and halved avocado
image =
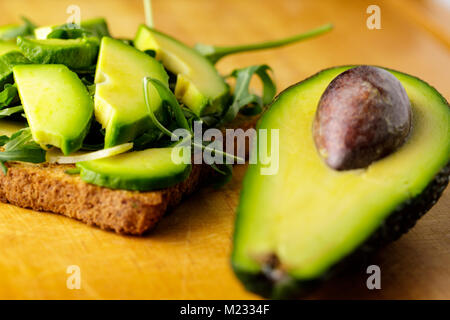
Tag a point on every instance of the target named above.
point(414, 35)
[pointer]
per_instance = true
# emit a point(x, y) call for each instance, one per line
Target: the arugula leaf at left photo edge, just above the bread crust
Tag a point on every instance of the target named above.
point(20, 147)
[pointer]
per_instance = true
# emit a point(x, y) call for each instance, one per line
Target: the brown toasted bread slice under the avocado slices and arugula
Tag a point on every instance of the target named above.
point(46, 187)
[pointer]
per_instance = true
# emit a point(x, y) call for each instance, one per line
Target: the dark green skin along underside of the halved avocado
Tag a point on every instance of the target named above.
point(400, 221)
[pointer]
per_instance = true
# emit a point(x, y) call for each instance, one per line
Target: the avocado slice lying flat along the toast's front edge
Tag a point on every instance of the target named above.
point(139, 170)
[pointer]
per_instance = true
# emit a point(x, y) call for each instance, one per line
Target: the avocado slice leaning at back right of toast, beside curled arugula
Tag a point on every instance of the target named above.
point(199, 86)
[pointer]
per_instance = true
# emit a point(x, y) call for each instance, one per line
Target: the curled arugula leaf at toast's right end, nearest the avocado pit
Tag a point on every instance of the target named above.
point(243, 98)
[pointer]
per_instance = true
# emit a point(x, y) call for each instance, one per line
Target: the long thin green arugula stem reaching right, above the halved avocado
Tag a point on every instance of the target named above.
point(214, 53)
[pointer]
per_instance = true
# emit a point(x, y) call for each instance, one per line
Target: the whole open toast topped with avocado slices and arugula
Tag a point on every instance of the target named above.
point(101, 115)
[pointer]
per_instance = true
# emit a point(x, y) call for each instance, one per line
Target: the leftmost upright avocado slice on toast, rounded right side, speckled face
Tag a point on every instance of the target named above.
point(56, 103)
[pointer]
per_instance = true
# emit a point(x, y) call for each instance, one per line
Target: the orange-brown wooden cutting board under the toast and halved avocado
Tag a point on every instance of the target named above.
point(187, 256)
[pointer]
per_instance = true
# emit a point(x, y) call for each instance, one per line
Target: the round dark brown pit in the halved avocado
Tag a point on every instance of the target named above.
point(363, 115)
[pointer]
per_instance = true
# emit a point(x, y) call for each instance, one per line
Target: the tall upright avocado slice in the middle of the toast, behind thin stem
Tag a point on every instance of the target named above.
point(119, 97)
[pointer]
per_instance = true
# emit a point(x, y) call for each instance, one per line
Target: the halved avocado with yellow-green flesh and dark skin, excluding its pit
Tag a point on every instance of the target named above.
point(300, 226)
